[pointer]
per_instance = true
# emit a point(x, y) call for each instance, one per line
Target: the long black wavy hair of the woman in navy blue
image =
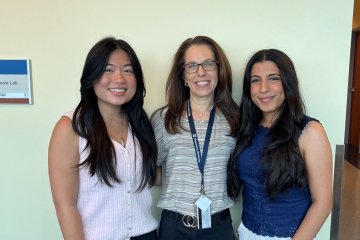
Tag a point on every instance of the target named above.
point(283, 163)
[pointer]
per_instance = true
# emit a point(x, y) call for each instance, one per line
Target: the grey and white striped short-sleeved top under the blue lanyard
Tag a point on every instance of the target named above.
point(181, 179)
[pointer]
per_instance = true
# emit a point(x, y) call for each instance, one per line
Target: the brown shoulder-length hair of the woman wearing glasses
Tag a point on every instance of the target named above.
point(177, 93)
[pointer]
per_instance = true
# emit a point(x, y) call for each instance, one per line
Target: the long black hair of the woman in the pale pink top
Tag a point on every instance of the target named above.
point(89, 124)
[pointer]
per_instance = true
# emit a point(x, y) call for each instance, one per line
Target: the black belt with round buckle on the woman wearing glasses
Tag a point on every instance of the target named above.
point(191, 221)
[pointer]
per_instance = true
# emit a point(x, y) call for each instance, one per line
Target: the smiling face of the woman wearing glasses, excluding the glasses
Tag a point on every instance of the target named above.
point(202, 83)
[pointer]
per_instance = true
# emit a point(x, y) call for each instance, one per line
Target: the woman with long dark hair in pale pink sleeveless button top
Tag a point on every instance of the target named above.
point(102, 155)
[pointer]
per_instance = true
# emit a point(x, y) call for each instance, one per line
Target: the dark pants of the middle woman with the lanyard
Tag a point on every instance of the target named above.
point(173, 228)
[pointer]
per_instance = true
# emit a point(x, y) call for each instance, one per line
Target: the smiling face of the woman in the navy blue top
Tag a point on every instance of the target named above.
point(266, 89)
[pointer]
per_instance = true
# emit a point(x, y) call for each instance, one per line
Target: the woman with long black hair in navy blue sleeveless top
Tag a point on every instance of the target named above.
point(282, 159)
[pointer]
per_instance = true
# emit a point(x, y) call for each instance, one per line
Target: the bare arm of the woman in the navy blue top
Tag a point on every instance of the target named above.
point(317, 153)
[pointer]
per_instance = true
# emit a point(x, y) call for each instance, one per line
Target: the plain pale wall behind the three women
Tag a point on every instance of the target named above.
point(56, 36)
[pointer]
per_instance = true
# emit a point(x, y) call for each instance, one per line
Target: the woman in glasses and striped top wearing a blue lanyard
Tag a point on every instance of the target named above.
point(193, 133)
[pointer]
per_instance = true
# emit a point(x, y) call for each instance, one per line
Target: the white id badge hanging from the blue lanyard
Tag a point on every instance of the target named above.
point(203, 210)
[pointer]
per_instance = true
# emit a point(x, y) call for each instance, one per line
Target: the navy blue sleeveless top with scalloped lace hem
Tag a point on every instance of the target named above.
point(279, 217)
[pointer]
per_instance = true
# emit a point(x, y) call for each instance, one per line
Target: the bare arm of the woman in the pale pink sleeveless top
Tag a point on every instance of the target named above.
point(63, 157)
